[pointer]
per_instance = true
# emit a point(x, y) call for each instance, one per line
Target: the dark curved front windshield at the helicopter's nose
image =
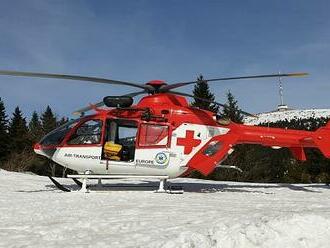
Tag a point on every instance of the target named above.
point(56, 136)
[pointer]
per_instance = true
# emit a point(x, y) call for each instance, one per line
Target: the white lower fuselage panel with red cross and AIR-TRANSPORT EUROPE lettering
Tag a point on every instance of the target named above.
point(155, 160)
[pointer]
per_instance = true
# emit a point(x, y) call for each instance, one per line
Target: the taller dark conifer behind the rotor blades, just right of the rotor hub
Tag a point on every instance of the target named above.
point(202, 90)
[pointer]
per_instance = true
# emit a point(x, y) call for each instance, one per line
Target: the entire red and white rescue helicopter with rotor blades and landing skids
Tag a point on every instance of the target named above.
point(161, 136)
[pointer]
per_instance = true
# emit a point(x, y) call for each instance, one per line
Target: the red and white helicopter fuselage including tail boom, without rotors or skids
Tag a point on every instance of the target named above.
point(163, 135)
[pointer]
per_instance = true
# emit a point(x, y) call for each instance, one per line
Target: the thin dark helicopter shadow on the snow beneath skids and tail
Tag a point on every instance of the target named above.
point(198, 187)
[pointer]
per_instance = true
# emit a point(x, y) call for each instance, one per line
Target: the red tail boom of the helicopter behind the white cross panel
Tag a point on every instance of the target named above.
point(295, 140)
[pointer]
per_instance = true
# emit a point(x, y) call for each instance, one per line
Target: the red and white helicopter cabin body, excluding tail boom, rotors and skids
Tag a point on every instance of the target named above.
point(158, 140)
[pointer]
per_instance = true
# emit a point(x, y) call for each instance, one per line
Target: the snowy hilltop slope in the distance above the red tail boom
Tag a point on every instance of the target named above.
point(288, 114)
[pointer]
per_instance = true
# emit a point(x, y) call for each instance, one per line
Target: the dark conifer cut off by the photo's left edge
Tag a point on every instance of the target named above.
point(4, 137)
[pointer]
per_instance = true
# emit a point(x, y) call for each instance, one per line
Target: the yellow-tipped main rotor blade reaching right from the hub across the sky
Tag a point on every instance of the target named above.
point(177, 85)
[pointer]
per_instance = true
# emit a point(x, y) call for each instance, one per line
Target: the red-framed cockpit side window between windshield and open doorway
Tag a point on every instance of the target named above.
point(87, 133)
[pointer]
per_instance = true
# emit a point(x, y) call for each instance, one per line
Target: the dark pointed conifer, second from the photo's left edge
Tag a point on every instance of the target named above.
point(18, 132)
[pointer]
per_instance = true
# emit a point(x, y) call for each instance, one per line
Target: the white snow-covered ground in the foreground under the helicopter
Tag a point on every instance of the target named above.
point(208, 214)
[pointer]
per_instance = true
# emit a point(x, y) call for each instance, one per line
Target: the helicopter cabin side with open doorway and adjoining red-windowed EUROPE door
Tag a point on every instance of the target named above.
point(132, 148)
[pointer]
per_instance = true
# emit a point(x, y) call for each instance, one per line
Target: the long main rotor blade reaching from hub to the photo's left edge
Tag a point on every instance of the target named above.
point(72, 77)
